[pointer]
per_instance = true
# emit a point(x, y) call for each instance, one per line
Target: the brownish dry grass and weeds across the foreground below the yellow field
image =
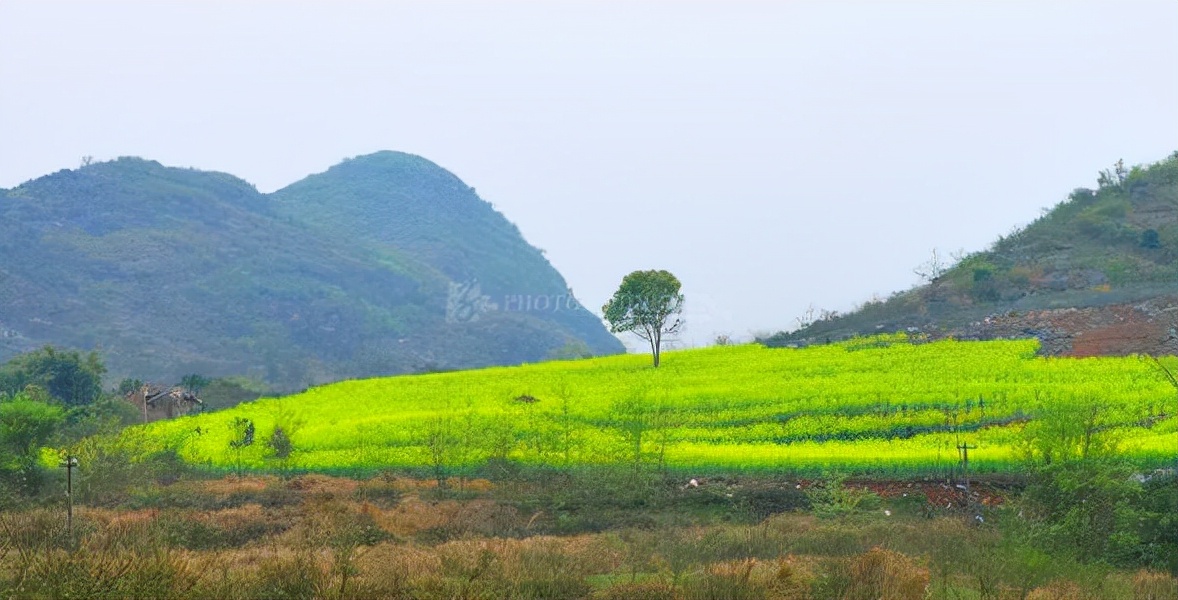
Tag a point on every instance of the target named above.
point(320, 537)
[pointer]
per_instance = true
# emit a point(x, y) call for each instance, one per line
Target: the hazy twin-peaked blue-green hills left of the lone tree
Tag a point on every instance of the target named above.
point(385, 265)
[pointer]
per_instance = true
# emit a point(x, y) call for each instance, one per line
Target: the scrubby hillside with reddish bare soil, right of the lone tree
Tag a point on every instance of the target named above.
point(1096, 275)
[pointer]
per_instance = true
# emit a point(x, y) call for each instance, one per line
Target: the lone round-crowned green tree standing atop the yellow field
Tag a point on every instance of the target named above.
point(650, 305)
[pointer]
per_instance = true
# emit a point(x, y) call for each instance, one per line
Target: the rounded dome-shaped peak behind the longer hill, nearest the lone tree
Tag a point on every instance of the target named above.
point(378, 201)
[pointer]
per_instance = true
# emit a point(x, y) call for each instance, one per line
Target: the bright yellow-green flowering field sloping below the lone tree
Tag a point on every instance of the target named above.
point(881, 405)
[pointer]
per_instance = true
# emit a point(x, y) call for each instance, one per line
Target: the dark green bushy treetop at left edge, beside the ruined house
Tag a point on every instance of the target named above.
point(69, 377)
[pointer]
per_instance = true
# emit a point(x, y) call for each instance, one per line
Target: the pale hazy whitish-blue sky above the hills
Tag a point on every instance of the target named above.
point(773, 156)
